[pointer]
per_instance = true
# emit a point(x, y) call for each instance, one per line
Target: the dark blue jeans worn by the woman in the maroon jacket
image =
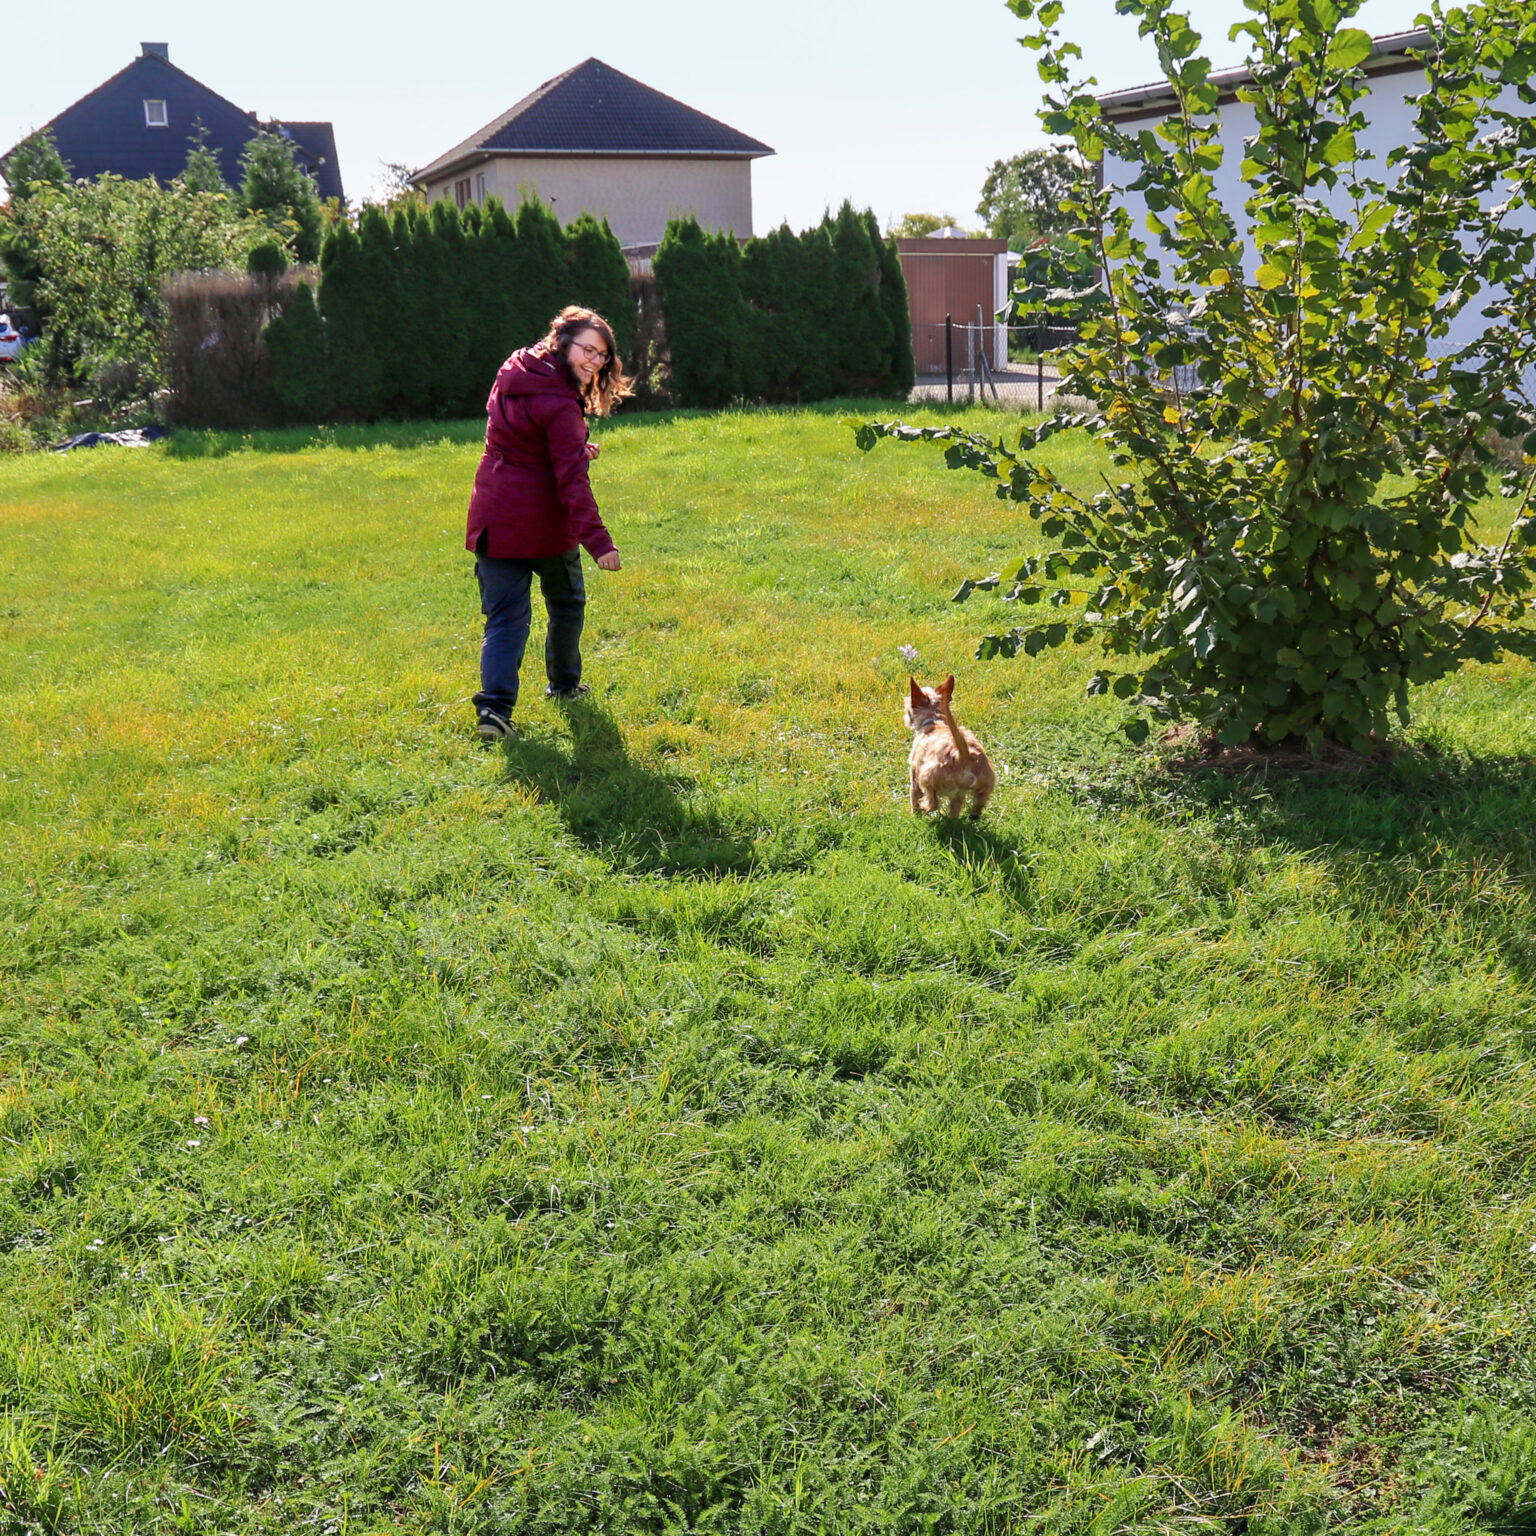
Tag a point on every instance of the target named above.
point(509, 617)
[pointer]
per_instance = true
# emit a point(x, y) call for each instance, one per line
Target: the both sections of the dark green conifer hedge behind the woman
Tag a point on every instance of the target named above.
point(415, 314)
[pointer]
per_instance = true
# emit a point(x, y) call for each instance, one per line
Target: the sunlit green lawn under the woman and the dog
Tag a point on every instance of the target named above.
point(650, 1127)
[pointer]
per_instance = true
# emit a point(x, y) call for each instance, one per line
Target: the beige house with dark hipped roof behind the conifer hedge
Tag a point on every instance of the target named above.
point(595, 141)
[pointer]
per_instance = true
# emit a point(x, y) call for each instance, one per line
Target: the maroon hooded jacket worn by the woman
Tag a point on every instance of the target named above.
point(532, 497)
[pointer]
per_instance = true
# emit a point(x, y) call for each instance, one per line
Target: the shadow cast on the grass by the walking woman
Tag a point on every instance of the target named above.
point(635, 818)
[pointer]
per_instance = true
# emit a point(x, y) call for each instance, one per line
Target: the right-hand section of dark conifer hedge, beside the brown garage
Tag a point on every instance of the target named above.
point(786, 317)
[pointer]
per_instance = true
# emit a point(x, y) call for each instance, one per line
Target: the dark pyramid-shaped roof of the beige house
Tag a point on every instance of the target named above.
point(595, 110)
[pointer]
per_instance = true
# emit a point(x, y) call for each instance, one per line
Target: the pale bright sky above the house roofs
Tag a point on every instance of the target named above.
point(899, 107)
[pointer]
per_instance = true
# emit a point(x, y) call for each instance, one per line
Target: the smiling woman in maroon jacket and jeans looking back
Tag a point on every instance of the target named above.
point(534, 511)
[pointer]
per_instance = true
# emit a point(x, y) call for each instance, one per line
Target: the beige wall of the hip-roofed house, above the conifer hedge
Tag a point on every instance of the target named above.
point(637, 196)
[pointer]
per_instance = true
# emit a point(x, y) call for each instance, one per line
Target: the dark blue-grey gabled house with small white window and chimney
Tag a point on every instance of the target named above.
point(147, 119)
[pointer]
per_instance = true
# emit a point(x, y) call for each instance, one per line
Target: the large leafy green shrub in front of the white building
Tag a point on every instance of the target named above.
point(1291, 545)
